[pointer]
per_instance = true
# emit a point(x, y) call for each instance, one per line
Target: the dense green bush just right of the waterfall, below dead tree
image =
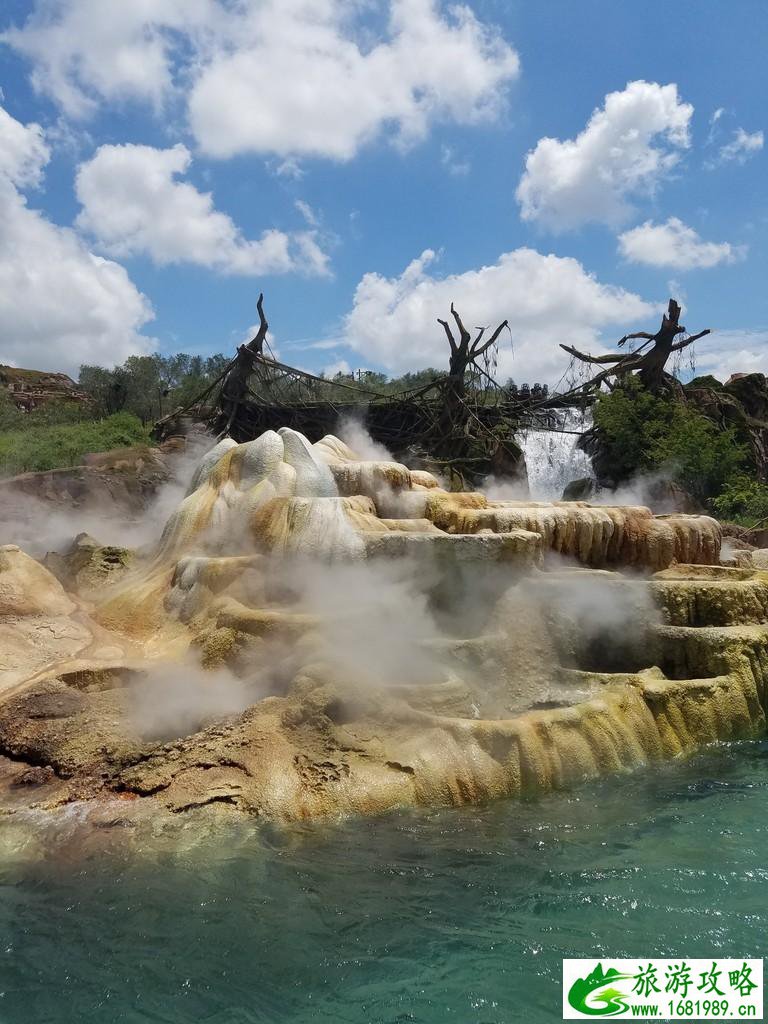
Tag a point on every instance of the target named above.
point(643, 434)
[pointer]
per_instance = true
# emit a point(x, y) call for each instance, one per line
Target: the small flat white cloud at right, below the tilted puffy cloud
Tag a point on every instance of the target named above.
point(675, 245)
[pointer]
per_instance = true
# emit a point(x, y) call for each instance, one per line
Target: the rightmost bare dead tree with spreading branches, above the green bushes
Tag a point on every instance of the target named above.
point(649, 365)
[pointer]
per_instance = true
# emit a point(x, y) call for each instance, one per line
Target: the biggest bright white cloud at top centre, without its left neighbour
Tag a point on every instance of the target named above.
point(298, 83)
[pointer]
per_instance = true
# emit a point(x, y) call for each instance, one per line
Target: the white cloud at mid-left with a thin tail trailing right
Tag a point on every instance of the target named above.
point(134, 203)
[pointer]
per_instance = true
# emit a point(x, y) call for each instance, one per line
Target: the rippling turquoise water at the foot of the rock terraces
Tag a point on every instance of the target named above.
point(452, 916)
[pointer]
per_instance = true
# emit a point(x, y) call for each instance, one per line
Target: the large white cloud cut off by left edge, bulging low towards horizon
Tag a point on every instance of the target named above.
point(60, 305)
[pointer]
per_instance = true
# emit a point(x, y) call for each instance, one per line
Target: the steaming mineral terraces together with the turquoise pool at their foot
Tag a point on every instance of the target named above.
point(388, 751)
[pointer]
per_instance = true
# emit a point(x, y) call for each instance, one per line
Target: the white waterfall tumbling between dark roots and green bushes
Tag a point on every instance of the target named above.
point(552, 458)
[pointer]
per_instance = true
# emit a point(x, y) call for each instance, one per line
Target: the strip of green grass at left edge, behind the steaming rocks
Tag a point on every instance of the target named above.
point(62, 446)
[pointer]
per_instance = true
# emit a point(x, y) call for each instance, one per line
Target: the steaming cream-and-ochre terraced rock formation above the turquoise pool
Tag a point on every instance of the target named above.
point(317, 634)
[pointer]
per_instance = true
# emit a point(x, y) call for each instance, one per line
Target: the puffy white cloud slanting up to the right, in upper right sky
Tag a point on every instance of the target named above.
point(626, 150)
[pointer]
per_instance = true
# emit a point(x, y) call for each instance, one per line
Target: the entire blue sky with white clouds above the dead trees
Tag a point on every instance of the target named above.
point(568, 165)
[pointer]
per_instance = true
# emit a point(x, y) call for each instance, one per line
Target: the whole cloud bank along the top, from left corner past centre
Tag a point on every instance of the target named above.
point(287, 77)
